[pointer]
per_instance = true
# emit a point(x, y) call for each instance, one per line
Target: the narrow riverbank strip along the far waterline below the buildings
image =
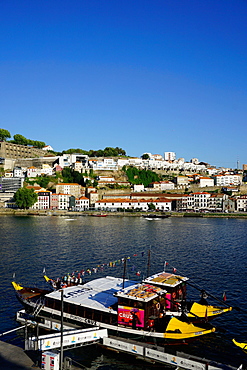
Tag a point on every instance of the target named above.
point(30, 212)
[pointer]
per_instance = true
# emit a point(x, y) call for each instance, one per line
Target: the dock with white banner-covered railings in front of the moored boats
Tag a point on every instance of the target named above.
point(15, 358)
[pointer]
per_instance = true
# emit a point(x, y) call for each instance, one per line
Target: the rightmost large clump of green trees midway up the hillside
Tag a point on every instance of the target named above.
point(138, 177)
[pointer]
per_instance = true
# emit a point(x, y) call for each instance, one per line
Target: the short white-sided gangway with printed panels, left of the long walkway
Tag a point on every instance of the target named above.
point(71, 339)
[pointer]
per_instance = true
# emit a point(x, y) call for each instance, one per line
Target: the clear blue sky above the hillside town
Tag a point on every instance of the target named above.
point(143, 75)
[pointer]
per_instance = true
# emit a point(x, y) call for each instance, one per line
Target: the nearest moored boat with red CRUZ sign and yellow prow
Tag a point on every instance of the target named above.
point(124, 307)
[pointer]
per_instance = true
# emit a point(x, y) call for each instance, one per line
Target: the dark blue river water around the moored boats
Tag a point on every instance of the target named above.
point(211, 252)
